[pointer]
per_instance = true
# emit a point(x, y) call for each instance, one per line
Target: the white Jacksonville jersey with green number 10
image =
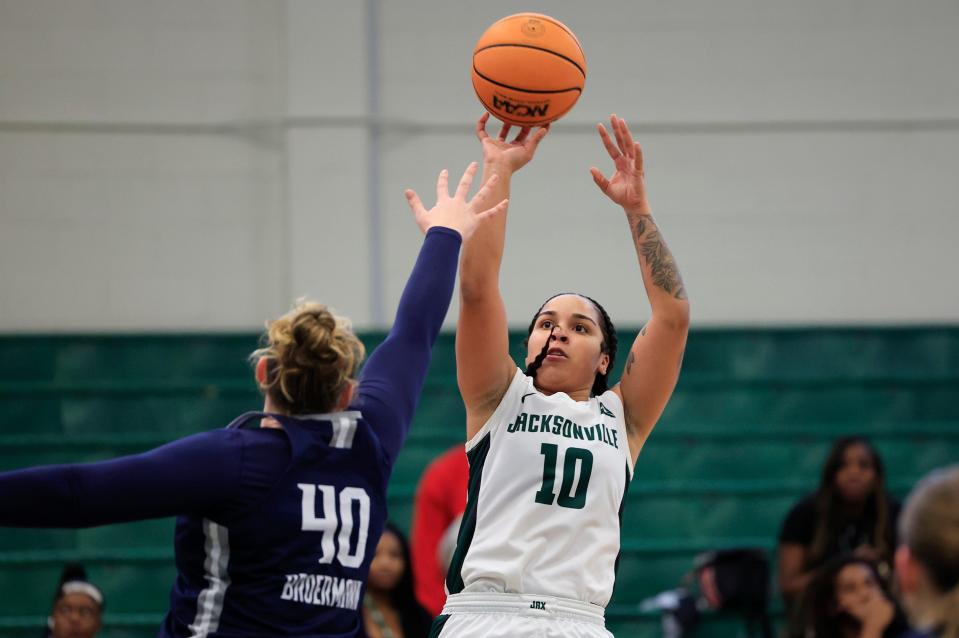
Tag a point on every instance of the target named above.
point(547, 484)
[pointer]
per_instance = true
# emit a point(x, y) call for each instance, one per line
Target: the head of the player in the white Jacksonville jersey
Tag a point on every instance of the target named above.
point(575, 350)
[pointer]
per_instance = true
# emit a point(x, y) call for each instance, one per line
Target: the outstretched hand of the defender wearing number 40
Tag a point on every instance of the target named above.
point(456, 212)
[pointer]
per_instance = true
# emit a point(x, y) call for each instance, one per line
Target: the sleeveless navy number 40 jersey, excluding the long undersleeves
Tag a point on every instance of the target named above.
point(293, 561)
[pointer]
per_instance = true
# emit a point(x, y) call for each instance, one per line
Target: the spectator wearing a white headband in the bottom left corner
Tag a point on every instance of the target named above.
point(77, 606)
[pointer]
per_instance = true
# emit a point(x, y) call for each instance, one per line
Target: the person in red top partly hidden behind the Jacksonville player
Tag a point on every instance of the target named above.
point(440, 502)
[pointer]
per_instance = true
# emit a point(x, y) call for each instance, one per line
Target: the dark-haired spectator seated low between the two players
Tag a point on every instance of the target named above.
point(390, 609)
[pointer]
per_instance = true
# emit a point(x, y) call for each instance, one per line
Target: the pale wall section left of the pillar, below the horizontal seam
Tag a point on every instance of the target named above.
point(128, 232)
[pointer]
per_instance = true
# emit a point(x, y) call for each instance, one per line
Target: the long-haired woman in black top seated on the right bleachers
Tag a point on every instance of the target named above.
point(850, 513)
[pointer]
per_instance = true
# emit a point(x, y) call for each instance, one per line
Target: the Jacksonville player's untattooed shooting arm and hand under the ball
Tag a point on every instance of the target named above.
point(484, 368)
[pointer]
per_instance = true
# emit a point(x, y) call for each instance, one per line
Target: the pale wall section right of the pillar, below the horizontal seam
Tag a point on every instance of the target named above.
point(766, 228)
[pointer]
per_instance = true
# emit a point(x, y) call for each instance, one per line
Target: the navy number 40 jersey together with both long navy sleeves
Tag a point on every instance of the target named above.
point(276, 527)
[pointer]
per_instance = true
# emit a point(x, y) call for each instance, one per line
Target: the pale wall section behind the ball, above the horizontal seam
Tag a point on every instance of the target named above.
point(701, 61)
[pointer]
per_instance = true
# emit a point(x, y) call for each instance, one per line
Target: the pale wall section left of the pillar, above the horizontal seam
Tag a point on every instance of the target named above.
point(140, 61)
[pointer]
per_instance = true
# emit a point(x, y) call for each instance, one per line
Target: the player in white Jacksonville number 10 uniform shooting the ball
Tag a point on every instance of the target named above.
point(552, 448)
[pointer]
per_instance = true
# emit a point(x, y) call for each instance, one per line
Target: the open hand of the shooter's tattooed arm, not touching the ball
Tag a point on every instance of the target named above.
point(627, 186)
